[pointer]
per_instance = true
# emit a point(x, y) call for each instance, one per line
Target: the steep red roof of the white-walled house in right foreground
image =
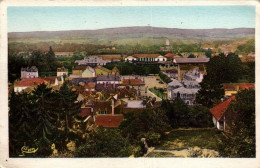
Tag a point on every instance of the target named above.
point(218, 110)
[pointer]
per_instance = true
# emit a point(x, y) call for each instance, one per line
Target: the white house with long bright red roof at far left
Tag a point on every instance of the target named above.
point(28, 82)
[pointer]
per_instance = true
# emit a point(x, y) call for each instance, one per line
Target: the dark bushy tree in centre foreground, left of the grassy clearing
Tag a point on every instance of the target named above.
point(150, 124)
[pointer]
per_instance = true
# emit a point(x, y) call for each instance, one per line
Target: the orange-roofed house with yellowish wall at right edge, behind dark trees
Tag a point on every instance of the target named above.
point(232, 88)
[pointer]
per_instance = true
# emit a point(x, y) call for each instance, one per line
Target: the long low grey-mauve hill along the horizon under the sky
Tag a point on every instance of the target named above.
point(132, 35)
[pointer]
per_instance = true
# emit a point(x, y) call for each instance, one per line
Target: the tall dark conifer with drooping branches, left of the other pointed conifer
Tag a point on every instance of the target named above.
point(45, 120)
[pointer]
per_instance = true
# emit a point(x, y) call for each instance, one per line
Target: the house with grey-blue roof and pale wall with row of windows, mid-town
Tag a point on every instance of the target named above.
point(107, 82)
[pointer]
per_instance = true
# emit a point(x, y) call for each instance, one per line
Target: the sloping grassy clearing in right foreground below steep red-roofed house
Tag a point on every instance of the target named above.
point(186, 138)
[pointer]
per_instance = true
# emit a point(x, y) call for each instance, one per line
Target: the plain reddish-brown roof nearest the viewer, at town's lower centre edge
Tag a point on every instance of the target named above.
point(109, 121)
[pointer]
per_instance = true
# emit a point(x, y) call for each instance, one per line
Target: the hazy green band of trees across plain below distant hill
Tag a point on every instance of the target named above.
point(126, 49)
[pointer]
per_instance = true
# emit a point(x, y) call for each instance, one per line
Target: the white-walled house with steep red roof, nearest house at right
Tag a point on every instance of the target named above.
point(218, 114)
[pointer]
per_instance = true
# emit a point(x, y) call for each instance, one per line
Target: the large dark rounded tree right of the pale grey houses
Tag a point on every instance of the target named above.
point(220, 69)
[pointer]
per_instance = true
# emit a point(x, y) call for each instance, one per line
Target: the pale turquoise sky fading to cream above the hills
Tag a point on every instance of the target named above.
point(25, 19)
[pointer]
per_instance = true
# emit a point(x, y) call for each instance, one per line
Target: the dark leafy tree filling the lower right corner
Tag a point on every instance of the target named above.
point(240, 136)
